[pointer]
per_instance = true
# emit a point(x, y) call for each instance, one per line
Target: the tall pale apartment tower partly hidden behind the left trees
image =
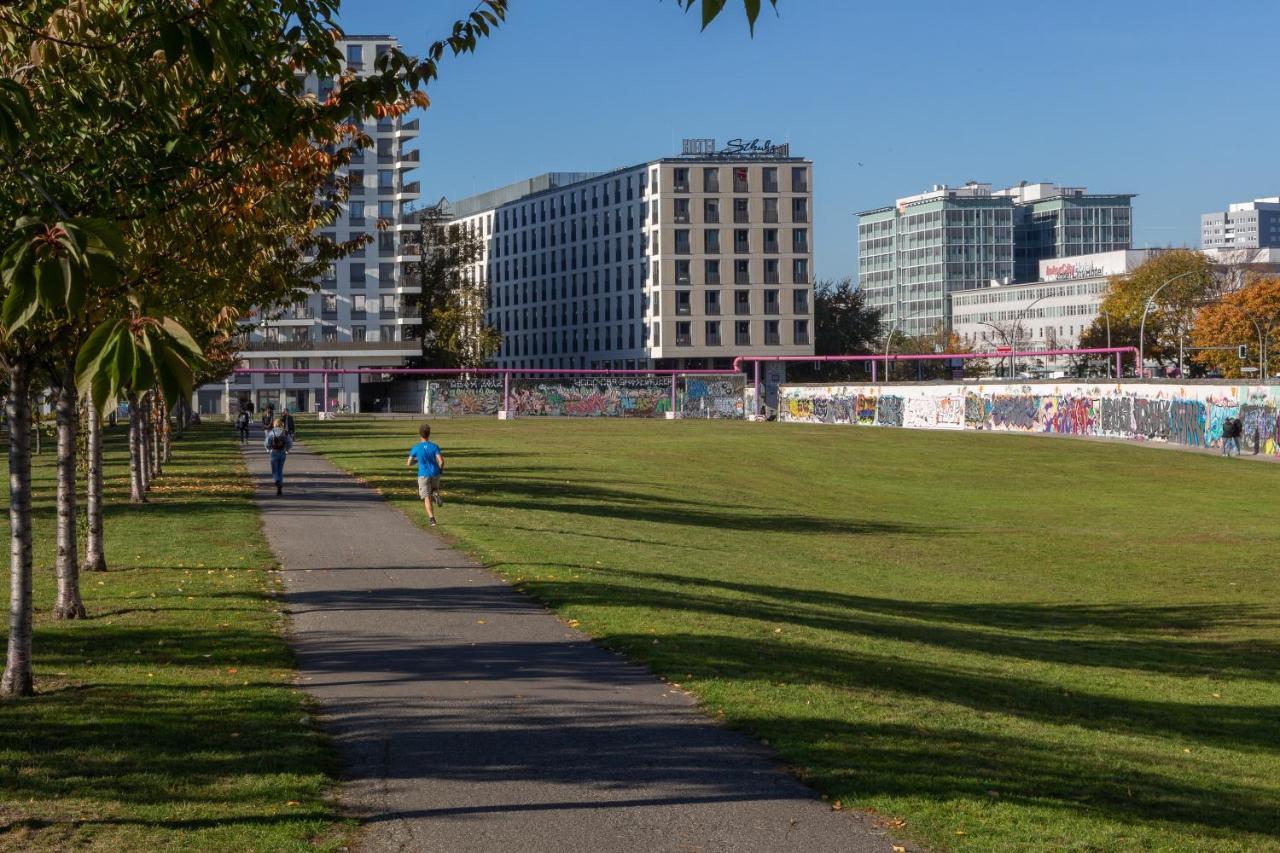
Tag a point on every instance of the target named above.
point(356, 320)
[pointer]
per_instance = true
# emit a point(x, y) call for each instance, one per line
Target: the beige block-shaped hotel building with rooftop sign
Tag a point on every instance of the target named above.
point(679, 263)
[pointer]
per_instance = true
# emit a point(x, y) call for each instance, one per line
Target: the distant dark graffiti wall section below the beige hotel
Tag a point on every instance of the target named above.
point(591, 398)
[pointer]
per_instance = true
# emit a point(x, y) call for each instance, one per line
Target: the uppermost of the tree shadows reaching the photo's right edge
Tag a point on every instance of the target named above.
point(1135, 638)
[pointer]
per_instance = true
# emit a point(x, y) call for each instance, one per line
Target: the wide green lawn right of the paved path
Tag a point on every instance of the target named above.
point(994, 642)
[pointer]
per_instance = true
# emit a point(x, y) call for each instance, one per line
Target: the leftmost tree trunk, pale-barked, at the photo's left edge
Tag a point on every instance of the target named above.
point(17, 679)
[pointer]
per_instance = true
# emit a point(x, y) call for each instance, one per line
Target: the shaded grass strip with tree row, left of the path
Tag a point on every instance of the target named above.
point(168, 720)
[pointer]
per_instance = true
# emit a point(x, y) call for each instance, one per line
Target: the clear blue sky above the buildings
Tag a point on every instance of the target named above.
point(1174, 101)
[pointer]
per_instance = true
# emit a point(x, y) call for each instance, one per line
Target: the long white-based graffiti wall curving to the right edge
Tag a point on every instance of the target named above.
point(1190, 414)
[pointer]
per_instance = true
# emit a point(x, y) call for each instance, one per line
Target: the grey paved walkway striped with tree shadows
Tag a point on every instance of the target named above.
point(472, 719)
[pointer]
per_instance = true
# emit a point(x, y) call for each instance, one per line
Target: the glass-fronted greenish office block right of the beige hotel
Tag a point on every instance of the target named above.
point(913, 257)
